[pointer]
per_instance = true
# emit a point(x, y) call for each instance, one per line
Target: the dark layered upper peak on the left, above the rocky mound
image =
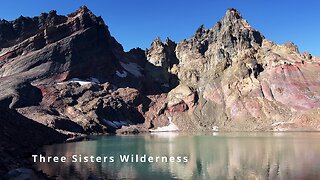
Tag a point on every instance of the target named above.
point(50, 49)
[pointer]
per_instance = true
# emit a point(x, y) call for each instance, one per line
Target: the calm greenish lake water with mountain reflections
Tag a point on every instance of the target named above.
point(289, 155)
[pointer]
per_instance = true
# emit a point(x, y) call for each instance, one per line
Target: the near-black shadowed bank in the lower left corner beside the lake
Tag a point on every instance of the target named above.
point(20, 137)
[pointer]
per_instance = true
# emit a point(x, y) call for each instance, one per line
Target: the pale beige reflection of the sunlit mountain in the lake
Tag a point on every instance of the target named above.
point(289, 156)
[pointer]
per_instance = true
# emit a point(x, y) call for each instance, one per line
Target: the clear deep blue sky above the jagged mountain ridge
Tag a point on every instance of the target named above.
point(135, 23)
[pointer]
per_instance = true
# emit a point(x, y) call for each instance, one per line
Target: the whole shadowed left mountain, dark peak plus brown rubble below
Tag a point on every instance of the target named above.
point(49, 63)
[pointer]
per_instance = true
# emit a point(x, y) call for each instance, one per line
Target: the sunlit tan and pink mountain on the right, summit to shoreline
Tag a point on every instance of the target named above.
point(243, 81)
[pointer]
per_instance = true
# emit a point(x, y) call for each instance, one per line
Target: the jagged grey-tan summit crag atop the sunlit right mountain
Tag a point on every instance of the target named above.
point(210, 51)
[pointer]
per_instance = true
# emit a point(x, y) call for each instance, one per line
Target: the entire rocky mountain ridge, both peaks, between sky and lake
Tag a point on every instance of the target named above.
point(69, 73)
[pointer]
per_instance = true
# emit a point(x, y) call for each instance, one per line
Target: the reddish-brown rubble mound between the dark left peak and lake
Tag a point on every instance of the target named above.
point(88, 108)
